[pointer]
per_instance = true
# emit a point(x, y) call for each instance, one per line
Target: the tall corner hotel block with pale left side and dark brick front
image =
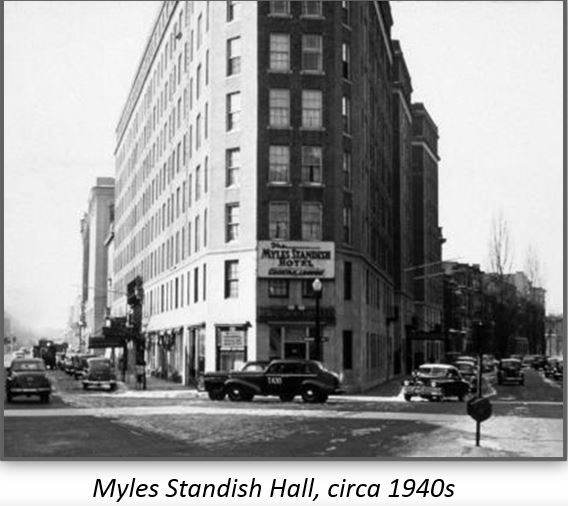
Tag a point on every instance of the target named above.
point(254, 155)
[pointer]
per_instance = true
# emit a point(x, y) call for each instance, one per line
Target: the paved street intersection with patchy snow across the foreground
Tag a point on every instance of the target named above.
point(527, 422)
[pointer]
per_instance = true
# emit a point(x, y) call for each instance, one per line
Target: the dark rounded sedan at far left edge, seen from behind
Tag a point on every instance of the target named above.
point(27, 376)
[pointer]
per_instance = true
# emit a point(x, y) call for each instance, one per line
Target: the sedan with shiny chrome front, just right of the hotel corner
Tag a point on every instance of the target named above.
point(436, 381)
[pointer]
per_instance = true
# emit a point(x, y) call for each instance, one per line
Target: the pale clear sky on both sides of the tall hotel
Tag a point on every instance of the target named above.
point(490, 74)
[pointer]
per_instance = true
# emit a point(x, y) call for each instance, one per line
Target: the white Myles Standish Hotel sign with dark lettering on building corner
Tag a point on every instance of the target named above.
point(296, 259)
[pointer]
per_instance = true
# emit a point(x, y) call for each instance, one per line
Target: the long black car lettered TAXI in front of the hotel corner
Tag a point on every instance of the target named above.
point(283, 378)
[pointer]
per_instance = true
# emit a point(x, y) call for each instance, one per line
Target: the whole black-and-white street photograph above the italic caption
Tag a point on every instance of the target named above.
point(284, 230)
